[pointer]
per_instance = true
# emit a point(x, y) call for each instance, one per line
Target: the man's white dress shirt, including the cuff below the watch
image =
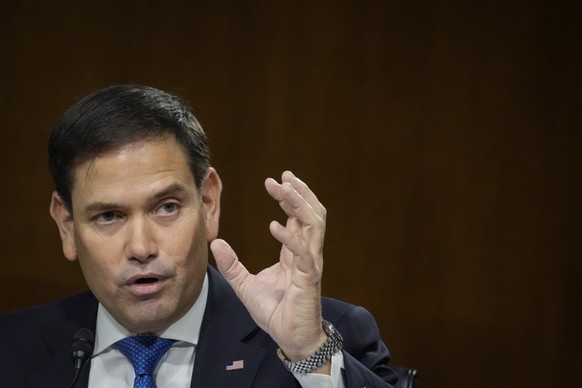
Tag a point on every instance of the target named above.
point(111, 369)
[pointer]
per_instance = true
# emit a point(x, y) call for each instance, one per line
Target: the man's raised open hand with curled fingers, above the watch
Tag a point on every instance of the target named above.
point(284, 299)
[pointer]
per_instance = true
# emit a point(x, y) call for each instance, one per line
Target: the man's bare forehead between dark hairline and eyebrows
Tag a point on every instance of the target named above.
point(132, 169)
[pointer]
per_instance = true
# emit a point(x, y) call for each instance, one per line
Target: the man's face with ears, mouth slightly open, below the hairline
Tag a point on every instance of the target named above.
point(140, 230)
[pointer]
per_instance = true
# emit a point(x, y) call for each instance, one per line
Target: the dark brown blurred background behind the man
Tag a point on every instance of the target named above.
point(443, 138)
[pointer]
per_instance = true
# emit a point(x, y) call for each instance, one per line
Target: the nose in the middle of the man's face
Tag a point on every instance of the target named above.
point(141, 241)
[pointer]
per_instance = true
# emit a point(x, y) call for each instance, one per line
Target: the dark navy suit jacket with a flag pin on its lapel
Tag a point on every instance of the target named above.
point(35, 344)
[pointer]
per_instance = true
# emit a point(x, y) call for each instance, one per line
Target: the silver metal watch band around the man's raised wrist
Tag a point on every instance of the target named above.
point(331, 346)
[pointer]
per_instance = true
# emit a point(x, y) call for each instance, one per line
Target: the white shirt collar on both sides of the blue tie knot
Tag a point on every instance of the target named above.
point(186, 329)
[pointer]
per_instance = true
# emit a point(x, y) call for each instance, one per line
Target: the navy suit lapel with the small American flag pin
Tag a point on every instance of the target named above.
point(226, 327)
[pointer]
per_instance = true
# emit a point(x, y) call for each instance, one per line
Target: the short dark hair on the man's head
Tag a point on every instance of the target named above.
point(116, 116)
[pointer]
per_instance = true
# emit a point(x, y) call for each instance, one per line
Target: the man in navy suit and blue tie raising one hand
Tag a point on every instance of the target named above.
point(138, 204)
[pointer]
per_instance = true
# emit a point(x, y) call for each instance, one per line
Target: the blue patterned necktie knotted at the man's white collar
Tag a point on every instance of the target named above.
point(144, 352)
